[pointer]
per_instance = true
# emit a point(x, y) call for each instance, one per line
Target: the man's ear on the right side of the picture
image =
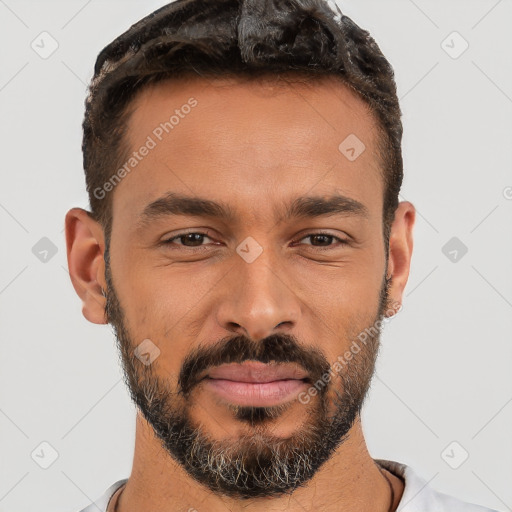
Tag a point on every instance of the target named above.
point(400, 250)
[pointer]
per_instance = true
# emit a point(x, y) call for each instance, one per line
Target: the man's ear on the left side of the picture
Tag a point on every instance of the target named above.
point(85, 248)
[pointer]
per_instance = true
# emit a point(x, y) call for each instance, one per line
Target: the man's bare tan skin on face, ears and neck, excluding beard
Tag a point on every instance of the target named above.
point(254, 147)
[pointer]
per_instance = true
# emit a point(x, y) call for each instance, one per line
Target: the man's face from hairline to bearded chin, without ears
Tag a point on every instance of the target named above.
point(246, 263)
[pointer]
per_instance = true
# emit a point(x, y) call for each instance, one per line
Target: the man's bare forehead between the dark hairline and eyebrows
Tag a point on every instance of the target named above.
point(241, 141)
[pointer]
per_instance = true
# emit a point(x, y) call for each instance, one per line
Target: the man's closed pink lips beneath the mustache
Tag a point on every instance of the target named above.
point(256, 384)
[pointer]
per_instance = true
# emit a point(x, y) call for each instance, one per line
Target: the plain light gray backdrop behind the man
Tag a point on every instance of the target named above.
point(444, 370)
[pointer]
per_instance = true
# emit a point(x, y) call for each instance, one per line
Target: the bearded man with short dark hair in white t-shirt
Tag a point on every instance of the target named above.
point(245, 240)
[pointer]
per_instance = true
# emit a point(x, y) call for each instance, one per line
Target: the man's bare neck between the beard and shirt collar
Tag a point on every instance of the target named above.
point(350, 480)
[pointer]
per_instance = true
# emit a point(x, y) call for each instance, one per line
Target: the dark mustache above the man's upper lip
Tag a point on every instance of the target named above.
point(278, 348)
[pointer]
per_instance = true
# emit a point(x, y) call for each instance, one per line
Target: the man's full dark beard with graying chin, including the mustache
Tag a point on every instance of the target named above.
point(255, 464)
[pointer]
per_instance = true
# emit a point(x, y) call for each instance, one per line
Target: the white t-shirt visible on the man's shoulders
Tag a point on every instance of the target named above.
point(417, 495)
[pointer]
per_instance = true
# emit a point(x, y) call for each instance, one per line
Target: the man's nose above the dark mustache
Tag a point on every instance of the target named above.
point(257, 300)
